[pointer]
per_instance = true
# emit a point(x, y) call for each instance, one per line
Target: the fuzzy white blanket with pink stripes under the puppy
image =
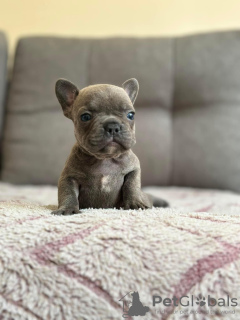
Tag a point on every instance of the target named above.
point(78, 267)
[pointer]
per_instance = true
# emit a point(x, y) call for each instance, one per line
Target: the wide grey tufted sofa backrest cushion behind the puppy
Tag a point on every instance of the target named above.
point(187, 111)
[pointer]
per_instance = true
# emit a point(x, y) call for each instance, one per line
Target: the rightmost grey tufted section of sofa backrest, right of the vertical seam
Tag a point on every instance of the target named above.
point(206, 131)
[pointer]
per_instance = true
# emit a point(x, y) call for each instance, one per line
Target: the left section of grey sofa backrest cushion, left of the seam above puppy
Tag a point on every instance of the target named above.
point(38, 138)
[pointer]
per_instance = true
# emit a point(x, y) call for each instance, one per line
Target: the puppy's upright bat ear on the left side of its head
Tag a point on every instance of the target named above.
point(66, 93)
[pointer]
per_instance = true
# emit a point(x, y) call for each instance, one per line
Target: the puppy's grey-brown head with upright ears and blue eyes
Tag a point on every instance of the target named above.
point(103, 116)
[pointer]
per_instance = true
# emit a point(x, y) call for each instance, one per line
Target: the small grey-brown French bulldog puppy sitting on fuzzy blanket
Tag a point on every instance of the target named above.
point(102, 171)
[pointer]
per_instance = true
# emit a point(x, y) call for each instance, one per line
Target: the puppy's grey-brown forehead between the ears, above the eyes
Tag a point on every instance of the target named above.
point(103, 97)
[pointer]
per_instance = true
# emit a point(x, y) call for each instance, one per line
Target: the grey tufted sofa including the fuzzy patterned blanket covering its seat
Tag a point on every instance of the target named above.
point(188, 133)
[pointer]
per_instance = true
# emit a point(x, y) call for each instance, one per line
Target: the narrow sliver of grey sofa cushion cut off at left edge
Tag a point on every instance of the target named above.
point(3, 79)
